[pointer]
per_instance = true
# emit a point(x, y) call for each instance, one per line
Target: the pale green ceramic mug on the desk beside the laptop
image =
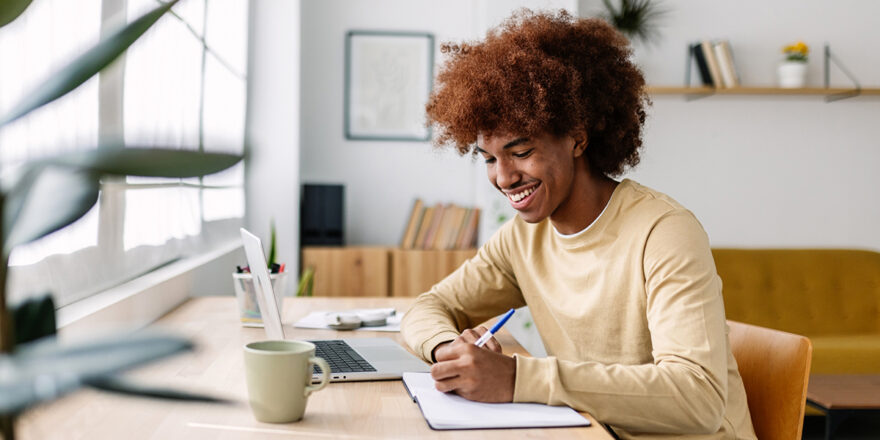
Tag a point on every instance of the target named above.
point(279, 377)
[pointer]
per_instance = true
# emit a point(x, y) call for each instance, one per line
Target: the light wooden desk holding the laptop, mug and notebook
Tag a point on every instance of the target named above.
point(360, 410)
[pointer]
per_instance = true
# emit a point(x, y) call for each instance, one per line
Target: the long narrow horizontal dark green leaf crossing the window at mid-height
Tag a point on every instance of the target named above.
point(155, 162)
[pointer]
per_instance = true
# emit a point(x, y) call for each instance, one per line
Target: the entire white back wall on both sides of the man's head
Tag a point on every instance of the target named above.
point(757, 171)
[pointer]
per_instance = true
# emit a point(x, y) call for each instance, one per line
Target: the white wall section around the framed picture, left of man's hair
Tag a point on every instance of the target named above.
point(383, 178)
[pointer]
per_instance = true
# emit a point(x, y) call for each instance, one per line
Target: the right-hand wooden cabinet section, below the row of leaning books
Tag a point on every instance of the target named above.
point(414, 271)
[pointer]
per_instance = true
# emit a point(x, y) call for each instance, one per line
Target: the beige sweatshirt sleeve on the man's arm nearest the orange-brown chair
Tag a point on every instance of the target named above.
point(684, 389)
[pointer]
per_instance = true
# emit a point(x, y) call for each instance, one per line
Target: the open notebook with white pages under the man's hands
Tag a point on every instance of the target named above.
point(449, 411)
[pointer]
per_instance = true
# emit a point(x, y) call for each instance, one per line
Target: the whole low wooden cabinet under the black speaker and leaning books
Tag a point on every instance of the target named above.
point(379, 271)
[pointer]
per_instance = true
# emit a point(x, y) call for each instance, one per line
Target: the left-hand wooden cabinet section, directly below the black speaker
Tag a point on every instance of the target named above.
point(348, 271)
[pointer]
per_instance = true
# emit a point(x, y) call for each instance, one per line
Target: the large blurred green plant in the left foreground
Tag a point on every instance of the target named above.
point(50, 193)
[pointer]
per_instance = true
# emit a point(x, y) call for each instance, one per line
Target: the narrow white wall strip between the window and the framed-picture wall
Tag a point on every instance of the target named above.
point(272, 175)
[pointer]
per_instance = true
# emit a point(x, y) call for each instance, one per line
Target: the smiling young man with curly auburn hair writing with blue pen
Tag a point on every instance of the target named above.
point(619, 278)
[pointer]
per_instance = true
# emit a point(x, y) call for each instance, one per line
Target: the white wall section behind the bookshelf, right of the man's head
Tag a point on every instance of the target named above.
point(767, 171)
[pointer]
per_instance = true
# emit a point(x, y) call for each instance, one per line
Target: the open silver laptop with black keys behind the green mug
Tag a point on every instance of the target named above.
point(354, 359)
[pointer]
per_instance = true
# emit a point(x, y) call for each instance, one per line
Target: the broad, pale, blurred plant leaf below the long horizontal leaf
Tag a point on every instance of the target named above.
point(45, 200)
